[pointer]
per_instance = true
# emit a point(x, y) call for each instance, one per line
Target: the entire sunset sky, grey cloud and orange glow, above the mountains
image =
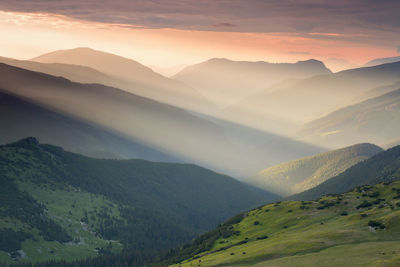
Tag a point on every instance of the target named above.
point(174, 32)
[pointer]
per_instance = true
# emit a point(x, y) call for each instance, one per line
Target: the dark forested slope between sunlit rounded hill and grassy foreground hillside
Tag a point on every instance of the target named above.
point(383, 167)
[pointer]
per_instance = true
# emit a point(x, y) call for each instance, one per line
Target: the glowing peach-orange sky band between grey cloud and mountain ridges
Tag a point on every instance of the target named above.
point(26, 35)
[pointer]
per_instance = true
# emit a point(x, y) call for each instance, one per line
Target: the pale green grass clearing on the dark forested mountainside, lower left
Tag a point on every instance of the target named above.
point(66, 206)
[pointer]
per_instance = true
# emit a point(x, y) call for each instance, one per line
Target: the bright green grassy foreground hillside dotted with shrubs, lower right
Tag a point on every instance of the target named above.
point(358, 228)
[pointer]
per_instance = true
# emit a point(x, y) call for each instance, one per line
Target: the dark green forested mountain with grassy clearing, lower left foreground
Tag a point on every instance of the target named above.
point(61, 205)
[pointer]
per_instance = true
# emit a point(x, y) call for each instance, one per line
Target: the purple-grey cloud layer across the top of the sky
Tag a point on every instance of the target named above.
point(358, 20)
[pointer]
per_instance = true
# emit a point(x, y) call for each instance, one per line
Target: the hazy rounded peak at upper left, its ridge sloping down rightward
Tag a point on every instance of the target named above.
point(131, 76)
